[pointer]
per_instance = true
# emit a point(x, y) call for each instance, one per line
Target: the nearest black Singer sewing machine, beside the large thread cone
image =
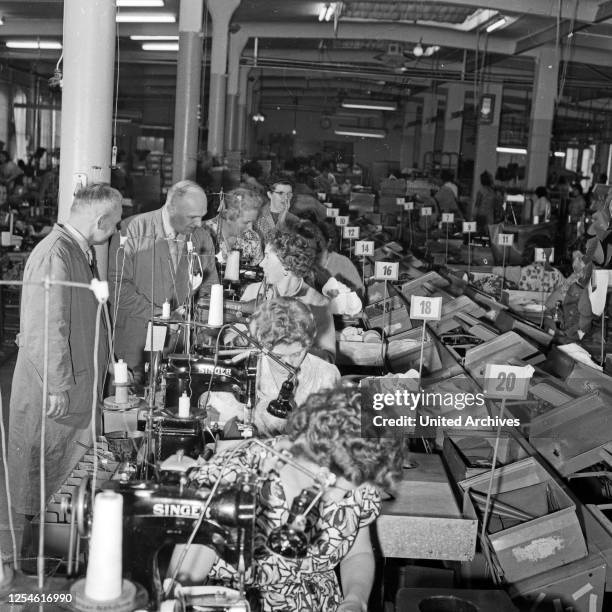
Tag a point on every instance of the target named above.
point(158, 515)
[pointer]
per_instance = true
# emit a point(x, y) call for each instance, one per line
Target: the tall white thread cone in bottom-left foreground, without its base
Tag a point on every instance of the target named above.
point(104, 581)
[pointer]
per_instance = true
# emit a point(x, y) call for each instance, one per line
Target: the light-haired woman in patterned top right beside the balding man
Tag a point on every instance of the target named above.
point(233, 228)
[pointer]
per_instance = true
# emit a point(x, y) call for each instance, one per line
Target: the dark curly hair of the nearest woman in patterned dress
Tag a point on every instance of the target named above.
point(327, 429)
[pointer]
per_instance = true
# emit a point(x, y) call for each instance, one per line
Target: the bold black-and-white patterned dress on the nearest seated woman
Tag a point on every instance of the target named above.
point(294, 585)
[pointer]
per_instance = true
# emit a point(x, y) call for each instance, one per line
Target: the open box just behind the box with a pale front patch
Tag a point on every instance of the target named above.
point(463, 466)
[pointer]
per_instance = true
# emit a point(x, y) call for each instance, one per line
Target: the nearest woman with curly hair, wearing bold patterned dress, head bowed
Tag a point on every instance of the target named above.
point(324, 434)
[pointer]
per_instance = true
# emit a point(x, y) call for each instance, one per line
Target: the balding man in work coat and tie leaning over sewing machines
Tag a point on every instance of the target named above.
point(162, 255)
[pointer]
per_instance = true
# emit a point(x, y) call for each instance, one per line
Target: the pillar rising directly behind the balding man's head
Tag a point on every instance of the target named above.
point(188, 84)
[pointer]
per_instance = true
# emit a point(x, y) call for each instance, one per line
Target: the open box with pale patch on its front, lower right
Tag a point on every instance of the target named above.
point(520, 549)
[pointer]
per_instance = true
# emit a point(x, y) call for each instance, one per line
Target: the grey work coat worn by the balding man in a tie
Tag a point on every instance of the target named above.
point(146, 252)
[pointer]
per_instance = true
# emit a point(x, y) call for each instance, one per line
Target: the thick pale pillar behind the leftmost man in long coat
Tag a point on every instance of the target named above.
point(87, 101)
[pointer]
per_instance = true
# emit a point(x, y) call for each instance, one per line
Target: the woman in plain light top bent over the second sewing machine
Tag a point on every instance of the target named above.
point(285, 329)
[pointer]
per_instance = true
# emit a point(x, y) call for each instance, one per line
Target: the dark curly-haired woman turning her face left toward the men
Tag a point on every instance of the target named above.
point(289, 259)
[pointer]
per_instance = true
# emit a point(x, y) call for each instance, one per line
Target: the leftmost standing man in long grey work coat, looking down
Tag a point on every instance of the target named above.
point(66, 254)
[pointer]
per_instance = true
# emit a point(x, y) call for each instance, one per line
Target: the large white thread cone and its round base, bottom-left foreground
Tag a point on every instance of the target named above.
point(103, 587)
